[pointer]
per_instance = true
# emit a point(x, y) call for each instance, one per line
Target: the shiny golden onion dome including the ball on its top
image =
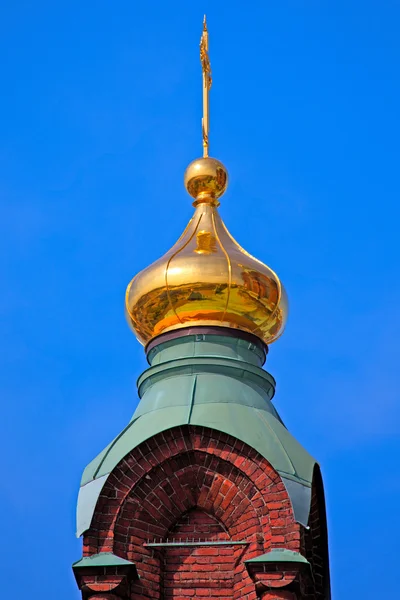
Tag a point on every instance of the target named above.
point(206, 278)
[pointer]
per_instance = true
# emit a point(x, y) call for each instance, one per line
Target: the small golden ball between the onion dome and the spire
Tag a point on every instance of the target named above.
point(206, 177)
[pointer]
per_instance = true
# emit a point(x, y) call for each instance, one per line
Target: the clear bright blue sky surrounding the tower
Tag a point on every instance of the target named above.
point(100, 114)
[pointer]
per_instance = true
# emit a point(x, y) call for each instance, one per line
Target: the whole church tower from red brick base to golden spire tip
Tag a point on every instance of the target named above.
point(205, 493)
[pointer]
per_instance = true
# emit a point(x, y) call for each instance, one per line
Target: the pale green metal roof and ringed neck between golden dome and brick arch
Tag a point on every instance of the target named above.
point(216, 382)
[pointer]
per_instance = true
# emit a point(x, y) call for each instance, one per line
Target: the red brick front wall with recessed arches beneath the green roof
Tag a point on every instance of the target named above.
point(185, 481)
